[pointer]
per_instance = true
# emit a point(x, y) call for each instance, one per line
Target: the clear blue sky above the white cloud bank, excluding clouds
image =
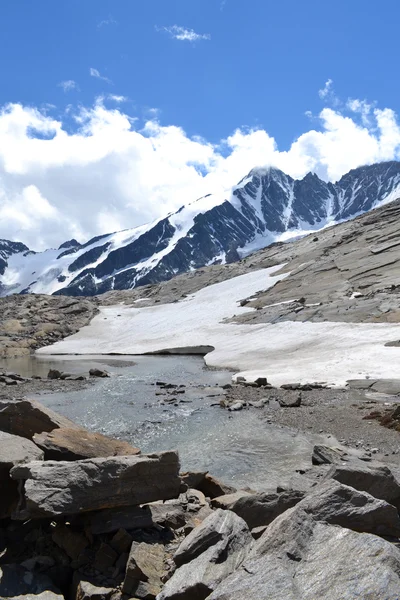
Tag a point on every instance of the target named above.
point(263, 65)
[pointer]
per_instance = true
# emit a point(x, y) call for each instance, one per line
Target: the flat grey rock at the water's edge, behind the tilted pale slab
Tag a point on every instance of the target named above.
point(258, 509)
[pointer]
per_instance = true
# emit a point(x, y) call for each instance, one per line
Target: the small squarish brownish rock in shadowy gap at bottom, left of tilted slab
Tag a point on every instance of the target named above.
point(144, 571)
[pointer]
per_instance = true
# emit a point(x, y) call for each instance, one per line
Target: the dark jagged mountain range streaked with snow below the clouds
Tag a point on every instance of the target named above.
point(265, 207)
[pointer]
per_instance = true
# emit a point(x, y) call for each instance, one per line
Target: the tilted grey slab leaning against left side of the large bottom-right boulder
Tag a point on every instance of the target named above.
point(207, 556)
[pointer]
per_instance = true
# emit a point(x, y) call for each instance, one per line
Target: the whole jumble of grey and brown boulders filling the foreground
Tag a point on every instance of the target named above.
point(84, 517)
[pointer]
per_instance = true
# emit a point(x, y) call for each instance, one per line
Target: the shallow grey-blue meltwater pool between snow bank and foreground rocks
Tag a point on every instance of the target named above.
point(238, 447)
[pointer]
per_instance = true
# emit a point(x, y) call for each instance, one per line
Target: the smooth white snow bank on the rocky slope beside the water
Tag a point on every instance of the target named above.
point(285, 352)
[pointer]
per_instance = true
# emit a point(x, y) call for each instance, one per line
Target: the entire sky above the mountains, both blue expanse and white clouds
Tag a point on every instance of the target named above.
point(114, 113)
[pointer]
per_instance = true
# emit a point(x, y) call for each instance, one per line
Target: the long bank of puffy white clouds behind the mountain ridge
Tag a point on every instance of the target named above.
point(115, 172)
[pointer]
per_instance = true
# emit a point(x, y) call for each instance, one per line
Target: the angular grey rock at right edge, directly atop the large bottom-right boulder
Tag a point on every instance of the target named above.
point(342, 505)
